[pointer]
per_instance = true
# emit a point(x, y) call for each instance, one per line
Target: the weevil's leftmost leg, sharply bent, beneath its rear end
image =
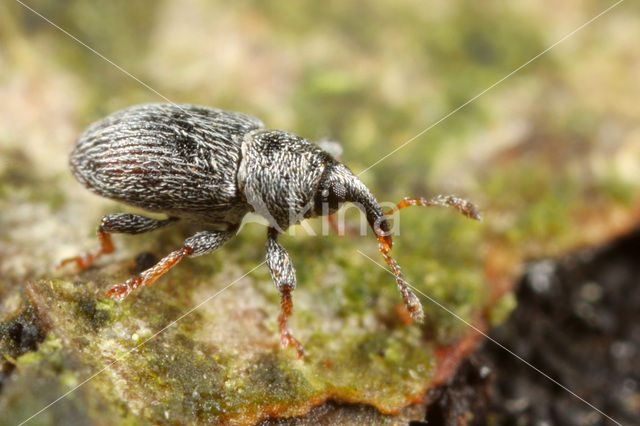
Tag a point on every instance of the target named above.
point(119, 223)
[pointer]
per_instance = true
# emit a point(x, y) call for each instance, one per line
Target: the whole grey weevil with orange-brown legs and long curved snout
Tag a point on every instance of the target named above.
point(212, 167)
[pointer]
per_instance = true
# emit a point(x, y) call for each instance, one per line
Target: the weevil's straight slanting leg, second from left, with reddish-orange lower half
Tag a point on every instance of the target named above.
point(199, 244)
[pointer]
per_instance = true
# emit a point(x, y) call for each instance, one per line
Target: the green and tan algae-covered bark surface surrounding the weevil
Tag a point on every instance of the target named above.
point(550, 156)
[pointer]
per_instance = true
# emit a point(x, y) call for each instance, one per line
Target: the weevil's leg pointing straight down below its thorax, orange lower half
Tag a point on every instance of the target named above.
point(284, 276)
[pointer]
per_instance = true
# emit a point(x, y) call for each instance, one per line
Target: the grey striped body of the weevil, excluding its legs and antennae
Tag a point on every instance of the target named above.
point(202, 164)
